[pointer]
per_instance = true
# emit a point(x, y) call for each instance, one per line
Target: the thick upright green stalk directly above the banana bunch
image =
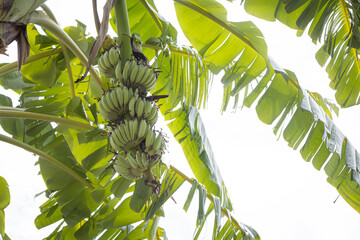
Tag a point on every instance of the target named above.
point(123, 30)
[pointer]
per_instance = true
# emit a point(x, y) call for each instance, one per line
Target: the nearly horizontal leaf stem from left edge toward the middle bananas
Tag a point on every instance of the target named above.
point(20, 113)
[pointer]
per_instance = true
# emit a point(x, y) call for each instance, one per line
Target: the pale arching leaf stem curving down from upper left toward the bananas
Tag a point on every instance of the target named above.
point(45, 22)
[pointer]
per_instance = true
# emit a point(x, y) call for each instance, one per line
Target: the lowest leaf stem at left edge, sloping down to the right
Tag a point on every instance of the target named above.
point(47, 158)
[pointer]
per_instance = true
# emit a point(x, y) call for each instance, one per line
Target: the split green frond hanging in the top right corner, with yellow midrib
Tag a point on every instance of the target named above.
point(336, 24)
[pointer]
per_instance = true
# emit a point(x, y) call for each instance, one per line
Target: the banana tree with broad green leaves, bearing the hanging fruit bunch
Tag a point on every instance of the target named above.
point(91, 193)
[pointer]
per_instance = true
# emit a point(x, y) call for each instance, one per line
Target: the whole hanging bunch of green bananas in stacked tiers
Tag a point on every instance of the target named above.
point(132, 116)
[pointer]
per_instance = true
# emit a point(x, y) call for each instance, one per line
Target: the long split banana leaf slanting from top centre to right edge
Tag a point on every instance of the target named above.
point(304, 116)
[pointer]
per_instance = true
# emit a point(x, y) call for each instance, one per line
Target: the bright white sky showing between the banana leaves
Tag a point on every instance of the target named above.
point(272, 189)
